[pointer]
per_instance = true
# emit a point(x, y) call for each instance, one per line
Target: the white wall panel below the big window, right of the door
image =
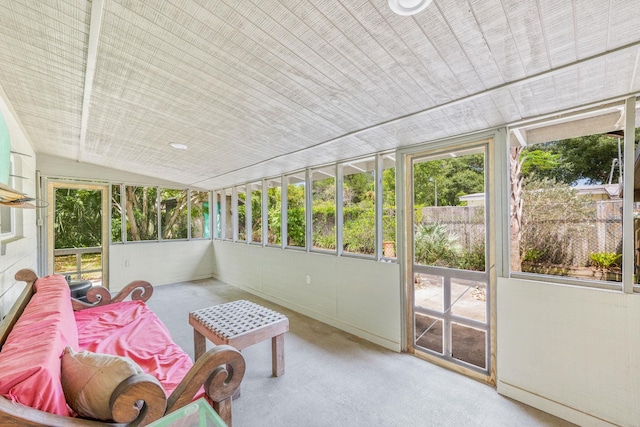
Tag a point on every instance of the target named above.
point(570, 351)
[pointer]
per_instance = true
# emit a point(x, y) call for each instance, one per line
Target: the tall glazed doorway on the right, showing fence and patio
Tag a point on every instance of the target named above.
point(449, 283)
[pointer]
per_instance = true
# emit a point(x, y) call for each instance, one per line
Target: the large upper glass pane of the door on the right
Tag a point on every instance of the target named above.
point(449, 230)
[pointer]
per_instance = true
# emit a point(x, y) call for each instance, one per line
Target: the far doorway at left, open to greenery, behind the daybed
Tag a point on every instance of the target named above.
point(77, 237)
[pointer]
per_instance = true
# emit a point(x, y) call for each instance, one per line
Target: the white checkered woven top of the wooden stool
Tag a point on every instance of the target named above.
point(235, 318)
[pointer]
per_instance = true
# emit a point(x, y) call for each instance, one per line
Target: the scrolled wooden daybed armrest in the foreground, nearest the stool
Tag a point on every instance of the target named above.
point(220, 370)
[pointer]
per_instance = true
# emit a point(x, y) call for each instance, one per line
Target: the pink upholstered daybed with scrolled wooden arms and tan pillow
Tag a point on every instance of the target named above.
point(49, 340)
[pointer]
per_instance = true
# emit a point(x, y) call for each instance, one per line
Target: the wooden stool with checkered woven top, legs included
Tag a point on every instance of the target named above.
point(240, 324)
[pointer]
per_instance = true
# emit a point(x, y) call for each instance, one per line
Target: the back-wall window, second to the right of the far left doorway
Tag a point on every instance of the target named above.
point(141, 213)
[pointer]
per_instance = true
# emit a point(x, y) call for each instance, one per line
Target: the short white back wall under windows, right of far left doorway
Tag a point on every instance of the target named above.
point(159, 263)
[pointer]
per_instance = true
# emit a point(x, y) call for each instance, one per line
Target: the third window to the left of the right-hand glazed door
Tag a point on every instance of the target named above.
point(323, 208)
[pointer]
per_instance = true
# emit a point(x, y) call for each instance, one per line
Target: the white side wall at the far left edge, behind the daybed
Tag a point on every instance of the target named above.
point(21, 251)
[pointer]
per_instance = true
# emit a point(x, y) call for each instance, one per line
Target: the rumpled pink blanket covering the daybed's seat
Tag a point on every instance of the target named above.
point(131, 329)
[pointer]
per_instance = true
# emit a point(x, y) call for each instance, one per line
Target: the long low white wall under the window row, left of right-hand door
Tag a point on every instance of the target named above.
point(359, 296)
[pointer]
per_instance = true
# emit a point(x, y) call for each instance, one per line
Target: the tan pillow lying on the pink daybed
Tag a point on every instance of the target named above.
point(89, 379)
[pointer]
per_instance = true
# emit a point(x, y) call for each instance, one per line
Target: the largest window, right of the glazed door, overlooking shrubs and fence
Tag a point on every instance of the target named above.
point(566, 196)
